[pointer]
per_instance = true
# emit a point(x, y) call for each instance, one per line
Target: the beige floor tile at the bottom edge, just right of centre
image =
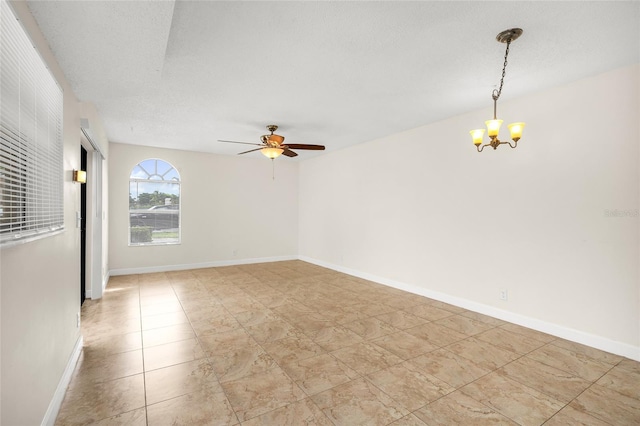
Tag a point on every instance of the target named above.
point(359, 402)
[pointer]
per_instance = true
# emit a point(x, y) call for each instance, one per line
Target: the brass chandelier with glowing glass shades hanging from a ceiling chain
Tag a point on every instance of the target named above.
point(493, 126)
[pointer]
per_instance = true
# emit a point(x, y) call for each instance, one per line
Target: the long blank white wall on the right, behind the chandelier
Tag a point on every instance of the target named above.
point(423, 210)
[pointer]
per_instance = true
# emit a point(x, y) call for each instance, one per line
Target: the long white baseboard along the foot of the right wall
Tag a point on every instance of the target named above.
point(598, 342)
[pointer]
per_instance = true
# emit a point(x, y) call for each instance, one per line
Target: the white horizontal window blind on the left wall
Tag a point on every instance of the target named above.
point(31, 170)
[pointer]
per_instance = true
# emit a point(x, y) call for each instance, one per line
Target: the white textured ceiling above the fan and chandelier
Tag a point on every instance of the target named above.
point(184, 74)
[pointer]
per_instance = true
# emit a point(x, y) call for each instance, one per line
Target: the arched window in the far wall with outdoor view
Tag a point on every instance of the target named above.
point(154, 204)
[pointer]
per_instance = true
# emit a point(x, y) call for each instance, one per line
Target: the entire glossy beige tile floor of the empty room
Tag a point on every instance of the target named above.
point(289, 343)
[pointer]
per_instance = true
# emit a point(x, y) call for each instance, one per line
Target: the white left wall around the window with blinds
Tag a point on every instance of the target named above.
point(40, 286)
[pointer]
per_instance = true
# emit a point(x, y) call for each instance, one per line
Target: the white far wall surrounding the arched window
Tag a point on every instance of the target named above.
point(228, 203)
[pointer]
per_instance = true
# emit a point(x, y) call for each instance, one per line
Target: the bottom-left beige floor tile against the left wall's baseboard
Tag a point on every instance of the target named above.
point(94, 402)
